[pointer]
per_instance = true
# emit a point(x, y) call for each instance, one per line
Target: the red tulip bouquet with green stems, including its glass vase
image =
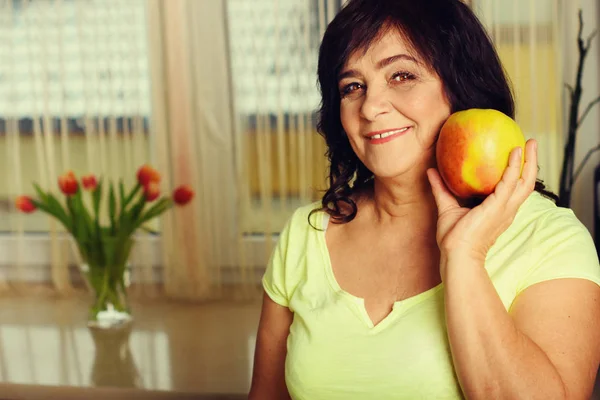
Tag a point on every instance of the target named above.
point(104, 240)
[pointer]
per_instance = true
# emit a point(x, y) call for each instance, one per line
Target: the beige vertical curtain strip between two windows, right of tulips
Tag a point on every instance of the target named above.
point(194, 143)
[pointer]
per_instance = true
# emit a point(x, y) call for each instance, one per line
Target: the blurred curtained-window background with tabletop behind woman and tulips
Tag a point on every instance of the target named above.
point(219, 94)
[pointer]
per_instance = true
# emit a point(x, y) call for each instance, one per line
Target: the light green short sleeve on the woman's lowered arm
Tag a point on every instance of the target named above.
point(274, 279)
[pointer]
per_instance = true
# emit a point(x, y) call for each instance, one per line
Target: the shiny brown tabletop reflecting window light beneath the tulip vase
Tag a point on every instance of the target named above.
point(169, 347)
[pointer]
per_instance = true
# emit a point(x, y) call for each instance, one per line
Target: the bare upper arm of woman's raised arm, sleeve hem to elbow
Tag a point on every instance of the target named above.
point(563, 318)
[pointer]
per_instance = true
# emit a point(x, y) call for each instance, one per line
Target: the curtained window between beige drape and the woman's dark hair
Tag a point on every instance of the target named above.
point(274, 52)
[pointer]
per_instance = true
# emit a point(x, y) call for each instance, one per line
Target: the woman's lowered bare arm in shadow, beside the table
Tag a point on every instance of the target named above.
point(268, 377)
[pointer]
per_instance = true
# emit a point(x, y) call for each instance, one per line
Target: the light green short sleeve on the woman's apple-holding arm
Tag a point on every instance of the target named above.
point(544, 242)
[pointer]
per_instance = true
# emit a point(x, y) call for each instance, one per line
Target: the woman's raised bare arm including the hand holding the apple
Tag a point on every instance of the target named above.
point(548, 346)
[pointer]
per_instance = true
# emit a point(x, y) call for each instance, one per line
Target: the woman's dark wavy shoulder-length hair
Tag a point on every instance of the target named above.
point(451, 41)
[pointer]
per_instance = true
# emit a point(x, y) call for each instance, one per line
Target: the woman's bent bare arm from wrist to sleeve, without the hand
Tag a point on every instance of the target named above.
point(547, 347)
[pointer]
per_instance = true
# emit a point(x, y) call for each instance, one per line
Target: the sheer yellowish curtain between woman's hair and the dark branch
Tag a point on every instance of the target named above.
point(528, 36)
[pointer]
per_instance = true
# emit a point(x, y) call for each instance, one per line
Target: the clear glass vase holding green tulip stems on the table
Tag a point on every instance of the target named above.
point(106, 270)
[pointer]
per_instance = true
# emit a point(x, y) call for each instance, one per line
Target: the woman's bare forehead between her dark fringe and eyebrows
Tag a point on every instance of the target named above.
point(388, 43)
